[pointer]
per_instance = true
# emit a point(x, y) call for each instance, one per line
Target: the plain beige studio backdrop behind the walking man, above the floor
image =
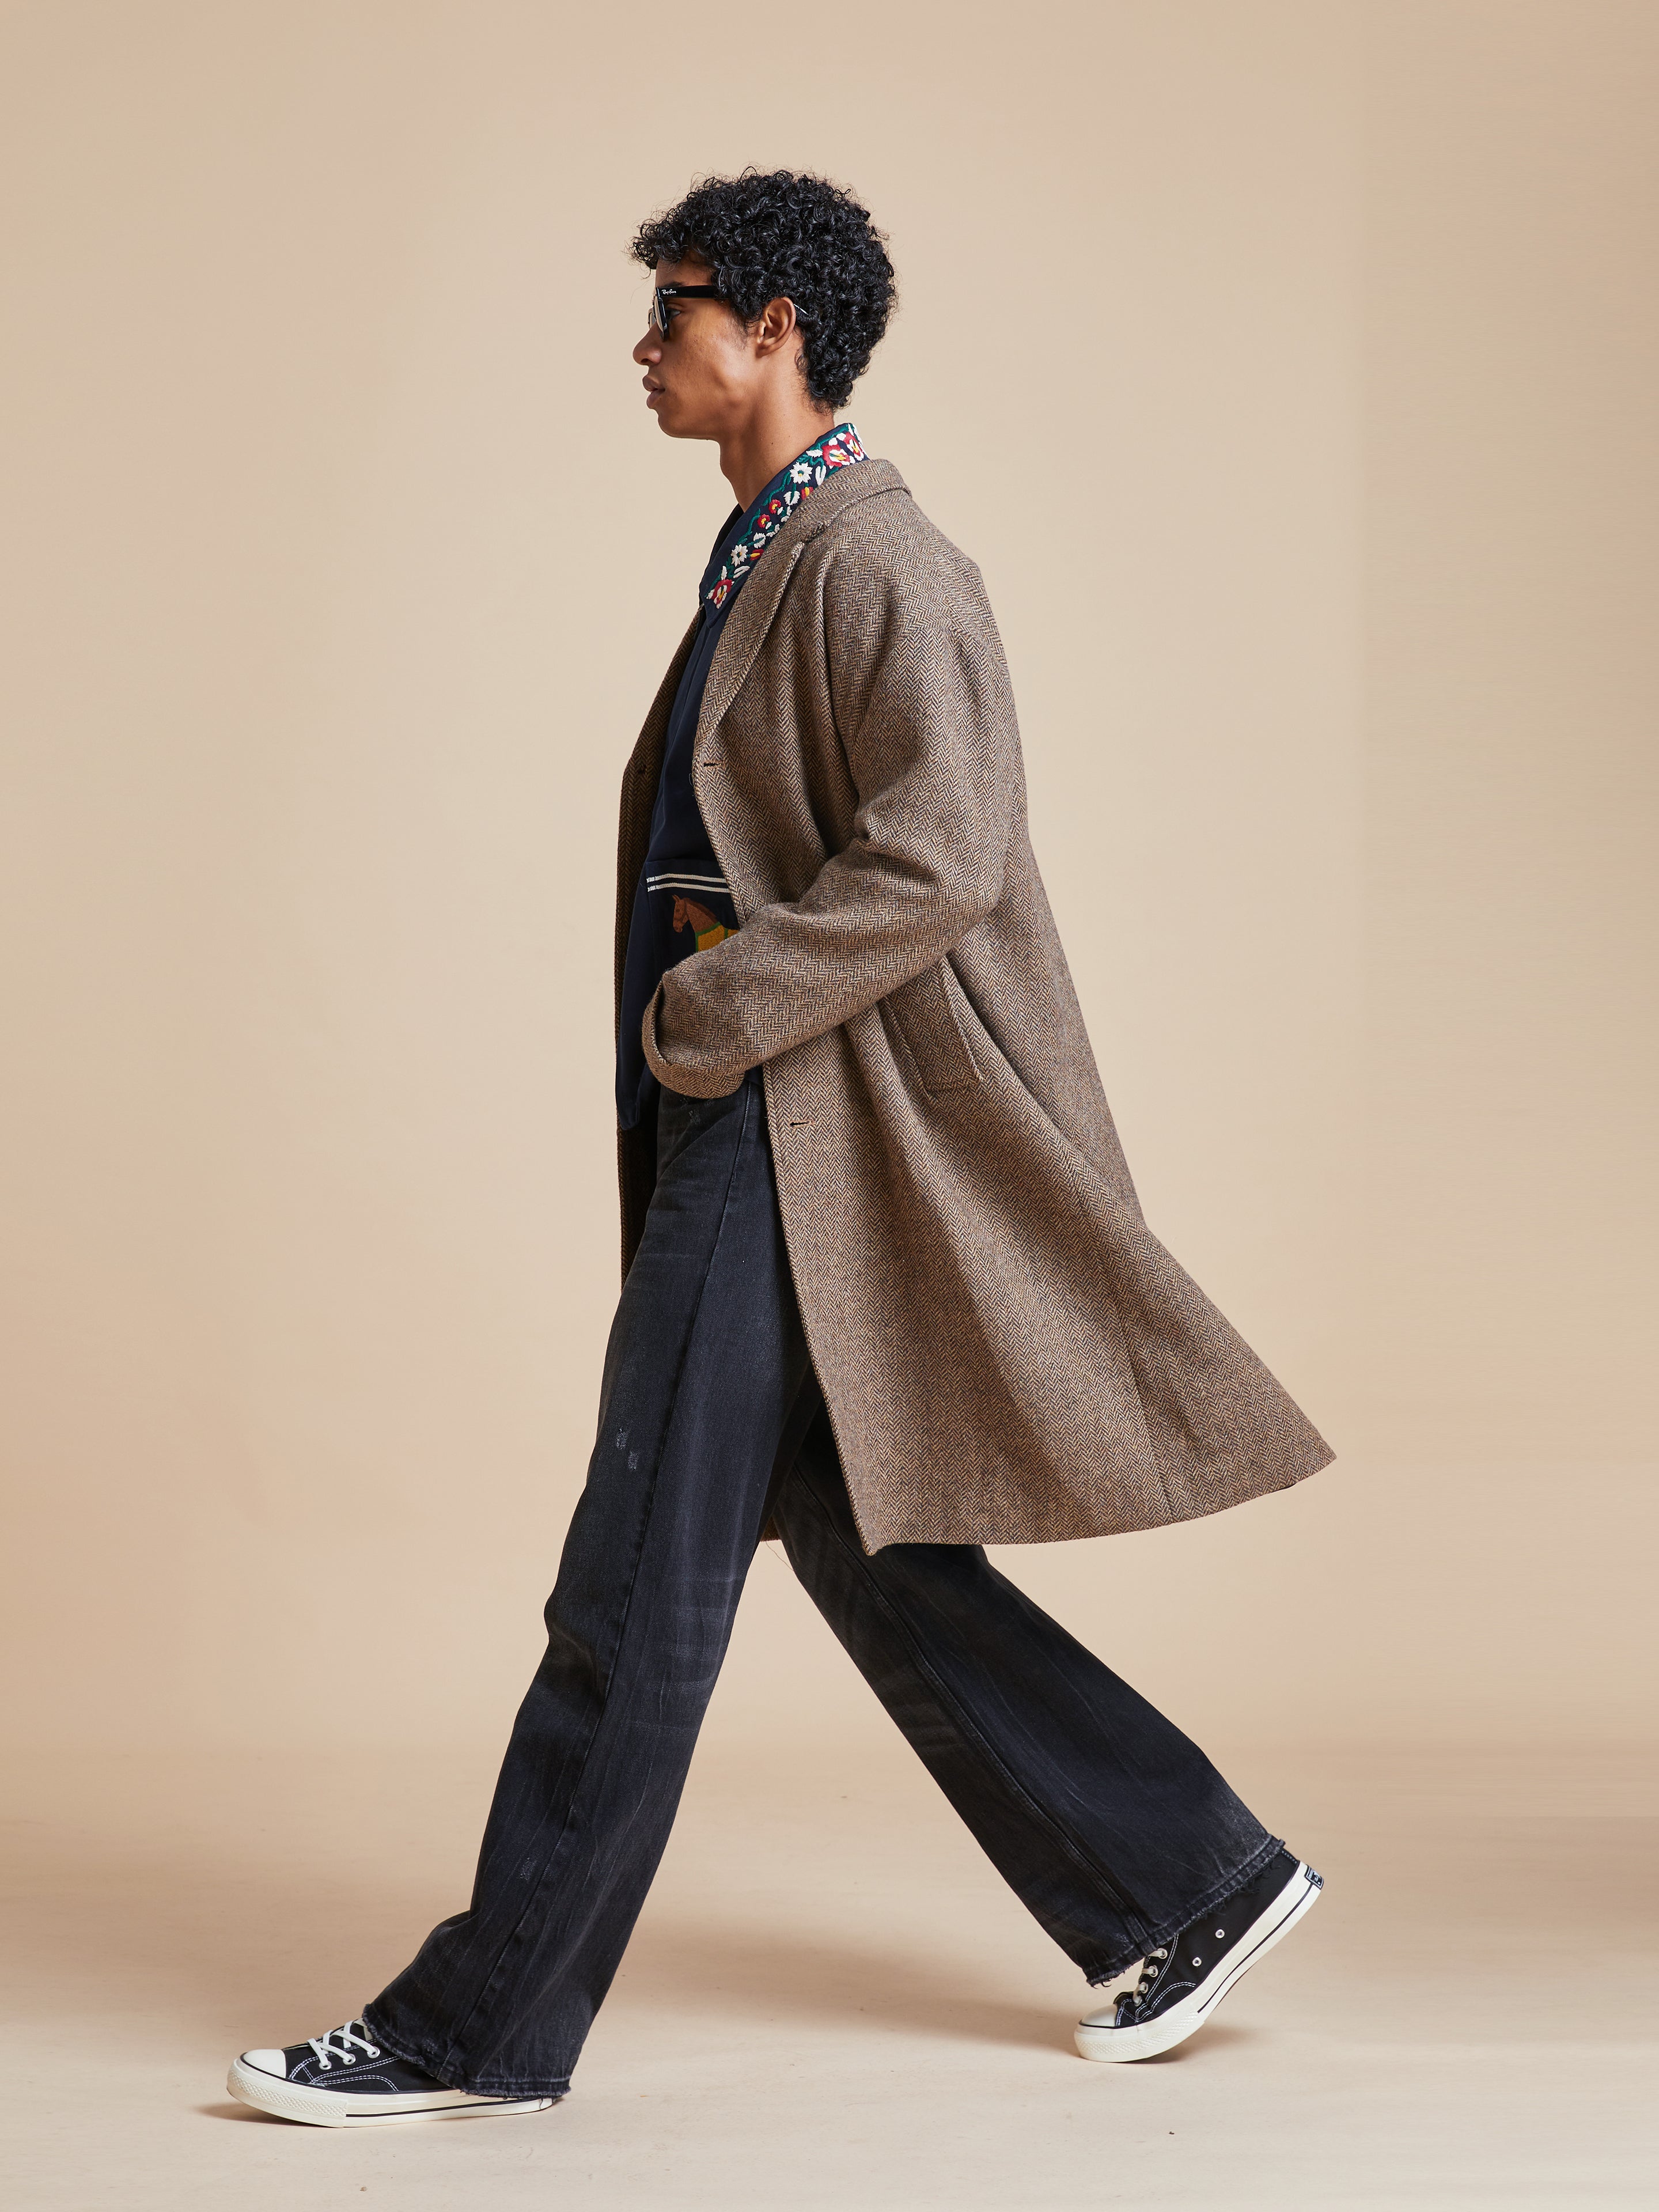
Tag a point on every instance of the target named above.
point(342, 563)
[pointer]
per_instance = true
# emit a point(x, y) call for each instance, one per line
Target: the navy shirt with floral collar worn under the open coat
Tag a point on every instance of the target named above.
point(682, 906)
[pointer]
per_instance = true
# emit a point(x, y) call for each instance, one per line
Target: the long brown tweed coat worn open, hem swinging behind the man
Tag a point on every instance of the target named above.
point(1008, 1353)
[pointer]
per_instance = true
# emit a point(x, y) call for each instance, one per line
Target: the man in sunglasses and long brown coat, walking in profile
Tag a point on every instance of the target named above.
point(888, 1291)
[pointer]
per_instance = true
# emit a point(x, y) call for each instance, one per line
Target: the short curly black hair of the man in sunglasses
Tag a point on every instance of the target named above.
point(786, 236)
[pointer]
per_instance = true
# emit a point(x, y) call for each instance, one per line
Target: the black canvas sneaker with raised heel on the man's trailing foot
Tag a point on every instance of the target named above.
point(1185, 1981)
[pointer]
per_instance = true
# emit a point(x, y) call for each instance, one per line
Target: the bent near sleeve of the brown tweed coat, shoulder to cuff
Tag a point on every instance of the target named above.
point(926, 709)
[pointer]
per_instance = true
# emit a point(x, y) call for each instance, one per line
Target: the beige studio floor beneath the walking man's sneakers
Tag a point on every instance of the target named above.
point(833, 2001)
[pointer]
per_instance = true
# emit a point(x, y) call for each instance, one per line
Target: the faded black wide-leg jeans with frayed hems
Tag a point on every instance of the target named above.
point(1100, 1815)
